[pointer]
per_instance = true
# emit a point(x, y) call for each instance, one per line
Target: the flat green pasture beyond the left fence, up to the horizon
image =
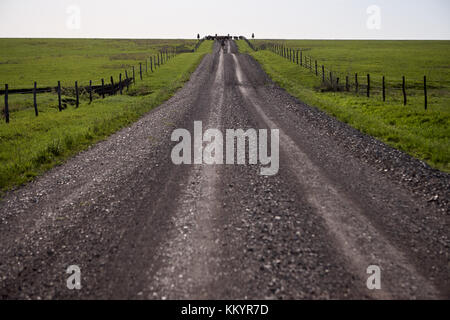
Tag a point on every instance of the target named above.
point(23, 61)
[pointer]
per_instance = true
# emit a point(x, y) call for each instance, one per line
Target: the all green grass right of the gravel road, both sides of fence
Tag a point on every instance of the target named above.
point(423, 134)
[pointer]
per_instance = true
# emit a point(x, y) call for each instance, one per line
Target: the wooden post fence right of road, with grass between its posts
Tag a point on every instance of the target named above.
point(360, 84)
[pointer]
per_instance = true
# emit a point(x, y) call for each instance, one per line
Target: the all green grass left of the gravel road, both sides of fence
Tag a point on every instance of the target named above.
point(30, 145)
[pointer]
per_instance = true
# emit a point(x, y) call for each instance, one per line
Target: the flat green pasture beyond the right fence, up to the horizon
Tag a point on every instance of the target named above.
point(393, 59)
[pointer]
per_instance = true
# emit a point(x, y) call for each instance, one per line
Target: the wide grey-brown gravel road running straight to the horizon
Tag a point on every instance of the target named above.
point(140, 227)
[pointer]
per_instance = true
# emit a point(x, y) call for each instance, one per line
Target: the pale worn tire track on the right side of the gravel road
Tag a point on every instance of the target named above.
point(357, 239)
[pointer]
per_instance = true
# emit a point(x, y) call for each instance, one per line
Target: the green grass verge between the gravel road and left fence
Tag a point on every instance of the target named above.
point(29, 145)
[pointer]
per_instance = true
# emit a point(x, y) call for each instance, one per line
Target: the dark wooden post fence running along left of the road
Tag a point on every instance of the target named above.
point(156, 61)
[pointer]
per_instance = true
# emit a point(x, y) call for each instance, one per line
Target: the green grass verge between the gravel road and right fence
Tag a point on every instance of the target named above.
point(422, 134)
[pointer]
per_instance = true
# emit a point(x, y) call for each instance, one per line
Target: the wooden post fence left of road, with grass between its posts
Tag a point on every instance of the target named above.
point(90, 90)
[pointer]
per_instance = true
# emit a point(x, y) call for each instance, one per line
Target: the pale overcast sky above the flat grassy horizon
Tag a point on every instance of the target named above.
point(287, 19)
